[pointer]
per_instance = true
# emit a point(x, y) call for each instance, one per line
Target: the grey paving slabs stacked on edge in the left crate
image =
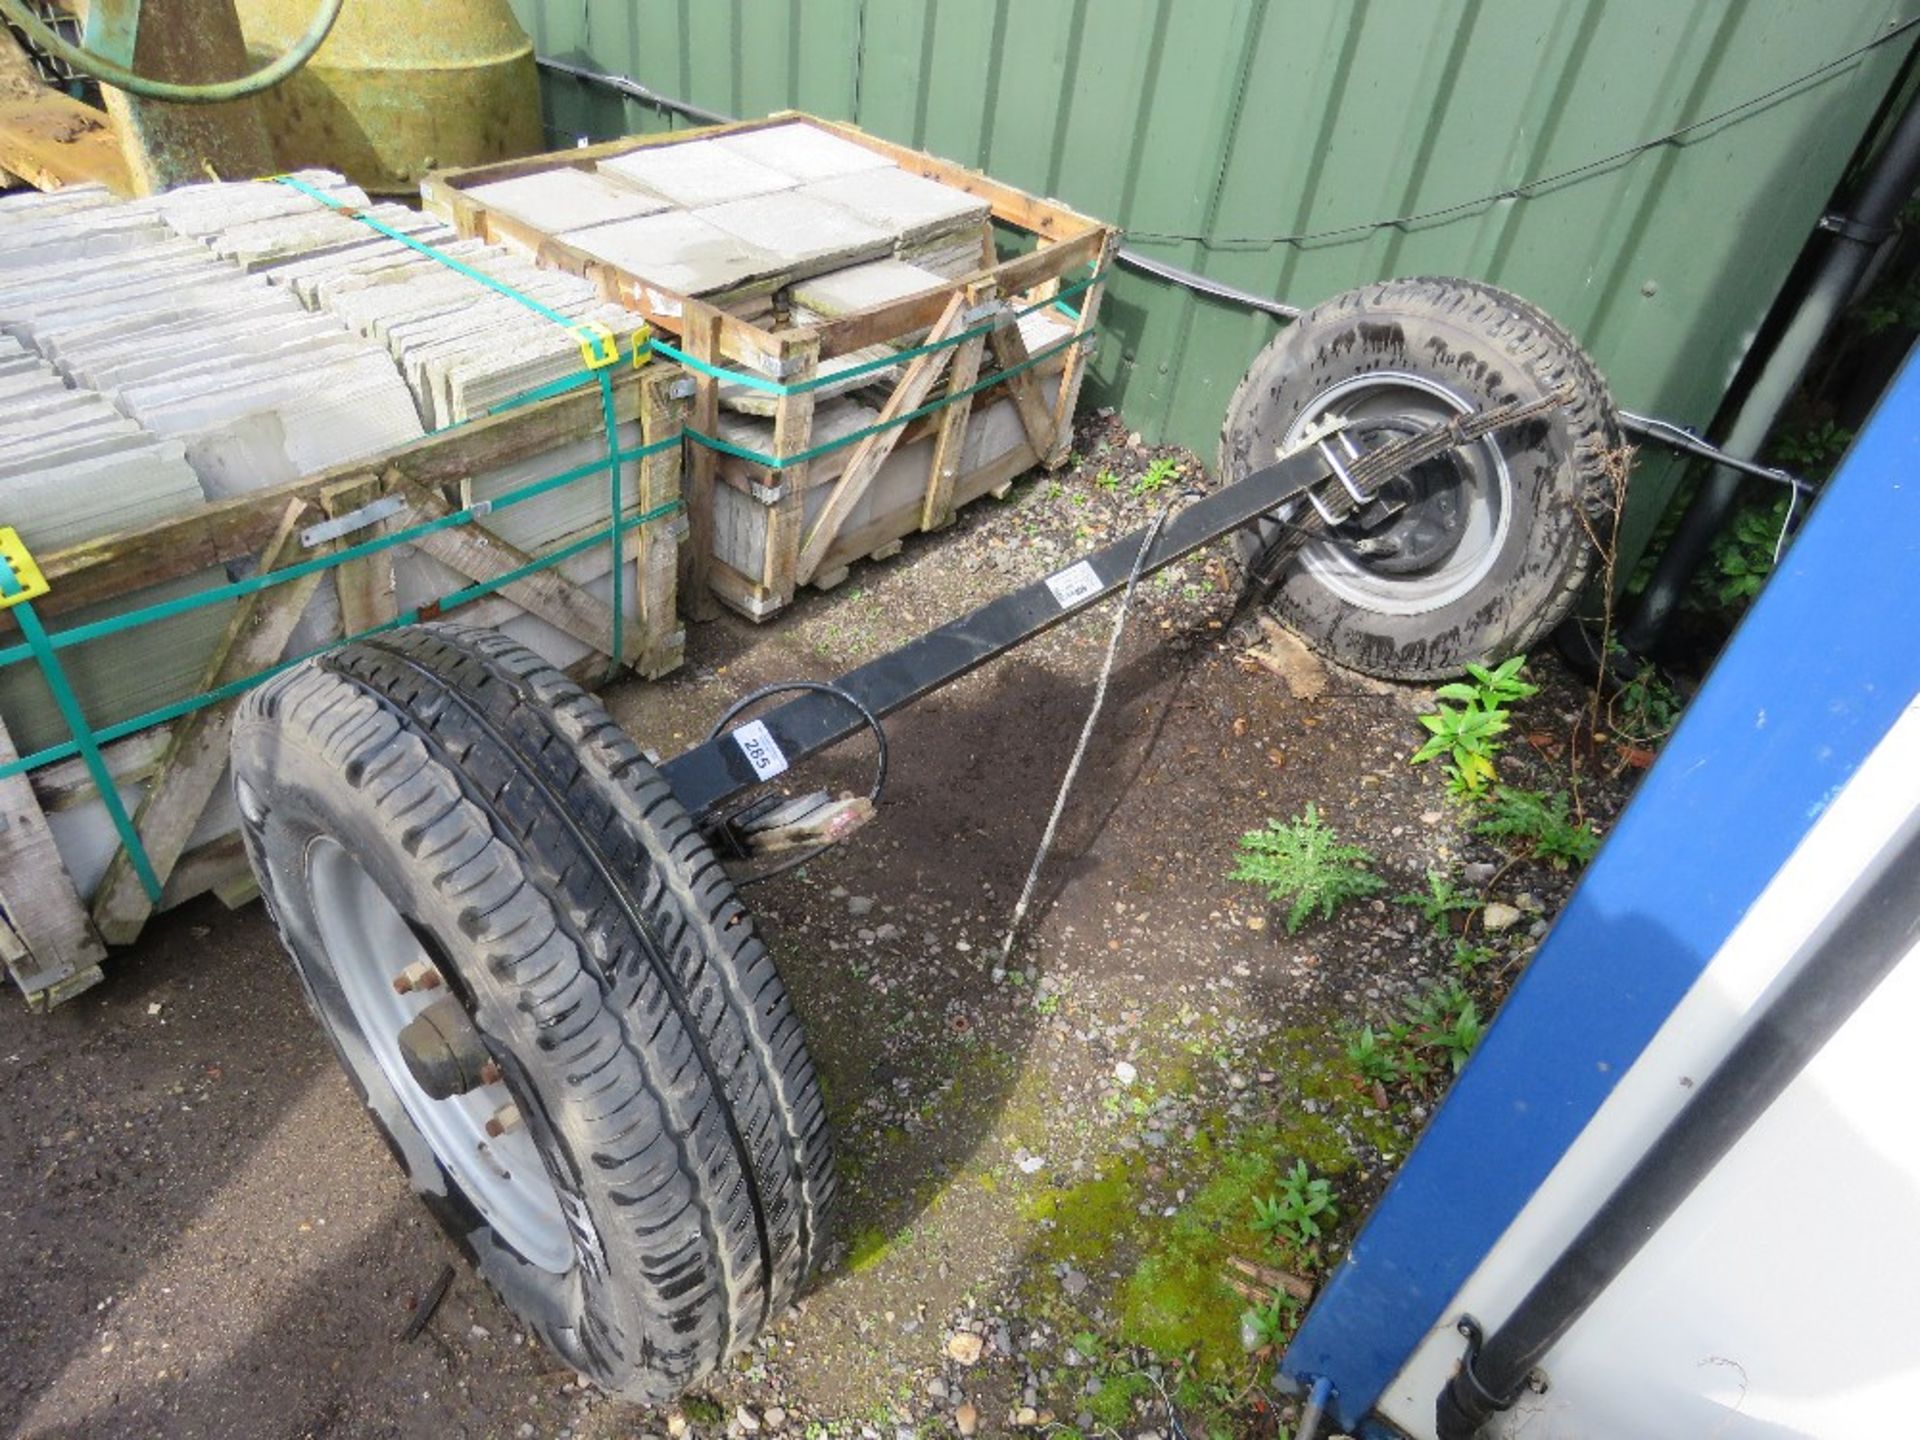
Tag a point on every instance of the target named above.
point(222, 339)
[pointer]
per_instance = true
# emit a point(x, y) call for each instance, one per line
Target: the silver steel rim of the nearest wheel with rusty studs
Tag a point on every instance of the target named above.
point(368, 946)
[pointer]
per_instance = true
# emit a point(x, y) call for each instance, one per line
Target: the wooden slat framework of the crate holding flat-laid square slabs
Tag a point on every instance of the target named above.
point(798, 554)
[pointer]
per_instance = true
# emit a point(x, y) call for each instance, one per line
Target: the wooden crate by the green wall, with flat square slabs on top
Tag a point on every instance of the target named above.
point(763, 531)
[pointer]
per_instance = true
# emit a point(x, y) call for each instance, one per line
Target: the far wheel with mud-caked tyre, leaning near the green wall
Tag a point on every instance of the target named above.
point(1520, 510)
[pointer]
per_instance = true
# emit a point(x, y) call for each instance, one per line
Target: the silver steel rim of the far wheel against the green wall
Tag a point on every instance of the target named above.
point(1489, 494)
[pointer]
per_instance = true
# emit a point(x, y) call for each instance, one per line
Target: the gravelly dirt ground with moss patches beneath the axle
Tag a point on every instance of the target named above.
point(206, 1239)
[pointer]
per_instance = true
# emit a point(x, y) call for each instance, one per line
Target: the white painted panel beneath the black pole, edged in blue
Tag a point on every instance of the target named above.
point(1785, 1297)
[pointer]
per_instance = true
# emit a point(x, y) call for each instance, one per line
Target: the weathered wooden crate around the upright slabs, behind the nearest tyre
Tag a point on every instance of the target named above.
point(60, 907)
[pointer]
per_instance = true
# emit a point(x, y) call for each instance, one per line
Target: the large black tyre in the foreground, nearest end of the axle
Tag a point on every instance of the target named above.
point(598, 948)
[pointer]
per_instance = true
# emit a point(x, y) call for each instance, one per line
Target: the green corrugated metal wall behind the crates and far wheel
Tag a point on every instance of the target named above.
point(1257, 141)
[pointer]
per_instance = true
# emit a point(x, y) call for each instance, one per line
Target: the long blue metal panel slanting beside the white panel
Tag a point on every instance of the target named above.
point(1812, 683)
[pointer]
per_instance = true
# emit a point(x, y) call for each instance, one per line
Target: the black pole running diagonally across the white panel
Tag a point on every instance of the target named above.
point(1879, 923)
